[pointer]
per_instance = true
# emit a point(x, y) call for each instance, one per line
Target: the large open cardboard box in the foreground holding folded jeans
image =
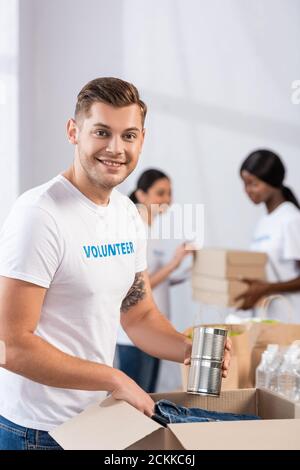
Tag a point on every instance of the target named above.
point(116, 425)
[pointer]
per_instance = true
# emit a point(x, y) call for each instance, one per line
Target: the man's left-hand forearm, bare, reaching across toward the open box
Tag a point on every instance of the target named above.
point(41, 362)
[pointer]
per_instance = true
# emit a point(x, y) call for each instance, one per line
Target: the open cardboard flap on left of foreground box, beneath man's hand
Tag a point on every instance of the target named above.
point(109, 425)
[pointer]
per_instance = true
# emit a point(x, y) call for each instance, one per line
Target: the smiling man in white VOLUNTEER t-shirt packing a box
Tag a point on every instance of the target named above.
point(72, 255)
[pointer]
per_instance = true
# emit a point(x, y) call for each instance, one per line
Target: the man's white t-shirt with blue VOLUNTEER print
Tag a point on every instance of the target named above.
point(86, 256)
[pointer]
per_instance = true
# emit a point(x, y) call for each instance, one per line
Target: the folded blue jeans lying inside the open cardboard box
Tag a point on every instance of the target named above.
point(172, 413)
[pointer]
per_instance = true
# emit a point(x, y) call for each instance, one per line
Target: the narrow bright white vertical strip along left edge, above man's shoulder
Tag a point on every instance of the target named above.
point(8, 104)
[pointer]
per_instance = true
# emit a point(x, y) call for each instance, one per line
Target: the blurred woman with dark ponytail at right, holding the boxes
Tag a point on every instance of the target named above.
point(277, 233)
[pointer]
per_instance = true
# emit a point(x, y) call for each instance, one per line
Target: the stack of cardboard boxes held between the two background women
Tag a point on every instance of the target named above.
point(218, 274)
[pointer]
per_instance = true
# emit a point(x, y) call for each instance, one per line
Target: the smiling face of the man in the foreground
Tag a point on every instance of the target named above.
point(109, 141)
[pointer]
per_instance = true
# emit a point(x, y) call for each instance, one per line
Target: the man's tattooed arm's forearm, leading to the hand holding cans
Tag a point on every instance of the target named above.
point(155, 335)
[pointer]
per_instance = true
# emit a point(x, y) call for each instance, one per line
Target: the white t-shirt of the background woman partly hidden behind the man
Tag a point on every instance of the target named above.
point(156, 259)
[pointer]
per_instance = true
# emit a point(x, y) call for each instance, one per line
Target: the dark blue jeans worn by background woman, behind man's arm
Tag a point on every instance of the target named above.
point(139, 366)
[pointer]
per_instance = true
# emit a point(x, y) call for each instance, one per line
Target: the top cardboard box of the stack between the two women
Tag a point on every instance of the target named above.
point(230, 264)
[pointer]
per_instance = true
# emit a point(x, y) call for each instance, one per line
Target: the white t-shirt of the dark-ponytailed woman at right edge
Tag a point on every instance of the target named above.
point(278, 235)
